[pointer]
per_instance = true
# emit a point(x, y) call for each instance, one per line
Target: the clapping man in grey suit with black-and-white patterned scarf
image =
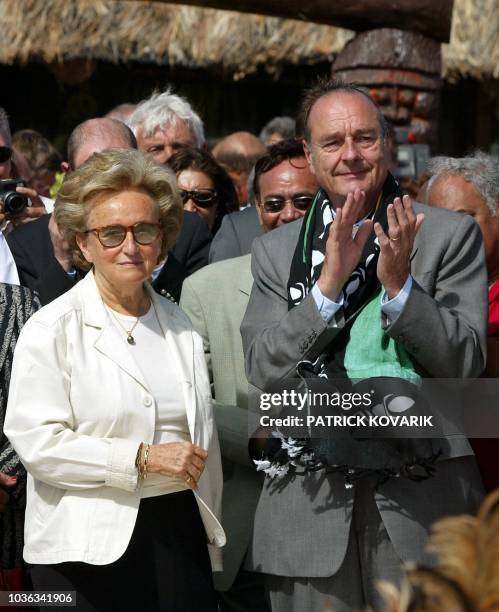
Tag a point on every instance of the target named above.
point(413, 281)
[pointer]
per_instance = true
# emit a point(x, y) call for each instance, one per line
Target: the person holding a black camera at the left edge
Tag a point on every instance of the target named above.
point(18, 203)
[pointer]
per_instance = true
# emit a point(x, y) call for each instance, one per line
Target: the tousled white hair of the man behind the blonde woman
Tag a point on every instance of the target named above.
point(162, 109)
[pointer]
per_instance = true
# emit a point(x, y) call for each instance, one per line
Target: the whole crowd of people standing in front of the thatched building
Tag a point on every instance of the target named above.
point(150, 288)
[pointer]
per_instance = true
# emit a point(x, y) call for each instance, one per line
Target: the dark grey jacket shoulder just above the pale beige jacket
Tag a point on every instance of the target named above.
point(236, 235)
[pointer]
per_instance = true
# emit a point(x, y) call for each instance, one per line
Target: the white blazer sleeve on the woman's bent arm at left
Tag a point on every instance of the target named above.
point(40, 421)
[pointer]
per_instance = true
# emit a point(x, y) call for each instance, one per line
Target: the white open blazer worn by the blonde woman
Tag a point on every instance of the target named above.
point(78, 408)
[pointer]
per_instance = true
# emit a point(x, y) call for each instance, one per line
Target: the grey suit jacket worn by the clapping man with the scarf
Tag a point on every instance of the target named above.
point(302, 529)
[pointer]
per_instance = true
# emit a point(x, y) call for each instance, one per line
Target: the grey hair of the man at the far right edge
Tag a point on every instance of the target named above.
point(479, 169)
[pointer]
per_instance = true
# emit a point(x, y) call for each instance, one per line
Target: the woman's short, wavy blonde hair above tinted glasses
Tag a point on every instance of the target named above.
point(110, 172)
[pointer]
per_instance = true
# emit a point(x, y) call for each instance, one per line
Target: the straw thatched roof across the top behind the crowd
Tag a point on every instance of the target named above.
point(152, 32)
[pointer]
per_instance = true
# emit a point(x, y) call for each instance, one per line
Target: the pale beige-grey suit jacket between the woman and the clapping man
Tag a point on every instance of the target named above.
point(215, 299)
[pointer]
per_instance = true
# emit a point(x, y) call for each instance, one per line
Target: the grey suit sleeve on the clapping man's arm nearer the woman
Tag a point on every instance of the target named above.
point(275, 339)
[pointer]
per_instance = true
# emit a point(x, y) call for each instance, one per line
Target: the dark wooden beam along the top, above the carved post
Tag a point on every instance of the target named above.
point(429, 17)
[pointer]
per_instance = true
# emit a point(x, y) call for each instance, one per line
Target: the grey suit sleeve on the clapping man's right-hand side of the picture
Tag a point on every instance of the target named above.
point(445, 332)
